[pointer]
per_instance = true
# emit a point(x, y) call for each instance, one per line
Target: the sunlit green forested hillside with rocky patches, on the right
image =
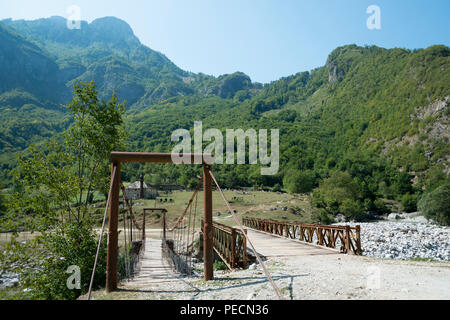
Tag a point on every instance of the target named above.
point(376, 113)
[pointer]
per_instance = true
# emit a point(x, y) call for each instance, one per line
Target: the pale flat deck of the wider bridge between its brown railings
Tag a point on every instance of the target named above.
point(269, 245)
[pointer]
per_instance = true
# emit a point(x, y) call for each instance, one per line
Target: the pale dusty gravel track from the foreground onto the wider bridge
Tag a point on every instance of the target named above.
point(303, 272)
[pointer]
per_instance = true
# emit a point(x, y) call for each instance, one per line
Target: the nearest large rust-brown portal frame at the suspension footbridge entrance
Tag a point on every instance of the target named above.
point(112, 252)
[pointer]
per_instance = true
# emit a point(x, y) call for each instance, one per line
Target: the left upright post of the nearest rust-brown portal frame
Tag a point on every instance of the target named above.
point(111, 264)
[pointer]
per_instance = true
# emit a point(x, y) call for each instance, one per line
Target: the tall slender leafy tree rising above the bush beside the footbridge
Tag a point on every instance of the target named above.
point(96, 131)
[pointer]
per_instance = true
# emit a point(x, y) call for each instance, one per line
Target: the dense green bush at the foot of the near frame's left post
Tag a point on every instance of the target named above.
point(72, 245)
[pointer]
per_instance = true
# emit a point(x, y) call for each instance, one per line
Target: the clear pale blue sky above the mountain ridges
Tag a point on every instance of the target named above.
point(266, 39)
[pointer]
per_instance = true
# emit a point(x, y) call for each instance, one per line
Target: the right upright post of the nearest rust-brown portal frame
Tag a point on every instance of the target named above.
point(208, 254)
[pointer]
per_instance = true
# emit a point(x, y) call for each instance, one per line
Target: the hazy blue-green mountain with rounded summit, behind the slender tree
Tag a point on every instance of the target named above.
point(41, 59)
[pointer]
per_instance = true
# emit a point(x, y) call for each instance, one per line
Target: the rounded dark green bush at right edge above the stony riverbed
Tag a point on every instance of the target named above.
point(435, 205)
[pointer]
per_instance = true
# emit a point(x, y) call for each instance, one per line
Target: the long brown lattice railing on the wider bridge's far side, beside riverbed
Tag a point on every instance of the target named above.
point(346, 238)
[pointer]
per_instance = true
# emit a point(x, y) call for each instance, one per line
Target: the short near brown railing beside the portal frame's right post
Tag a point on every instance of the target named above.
point(230, 244)
